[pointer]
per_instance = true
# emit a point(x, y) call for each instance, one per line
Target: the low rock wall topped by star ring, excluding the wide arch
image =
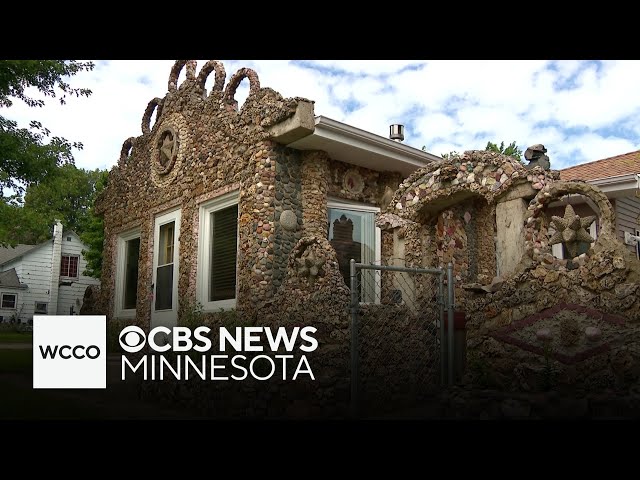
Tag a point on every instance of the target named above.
point(560, 323)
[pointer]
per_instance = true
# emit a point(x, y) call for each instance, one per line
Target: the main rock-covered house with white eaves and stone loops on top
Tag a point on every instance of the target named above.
point(206, 206)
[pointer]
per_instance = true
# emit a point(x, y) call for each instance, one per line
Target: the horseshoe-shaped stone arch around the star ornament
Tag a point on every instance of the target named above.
point(536, 241)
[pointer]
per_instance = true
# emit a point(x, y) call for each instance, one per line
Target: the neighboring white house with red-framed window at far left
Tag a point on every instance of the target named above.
point(44, 279)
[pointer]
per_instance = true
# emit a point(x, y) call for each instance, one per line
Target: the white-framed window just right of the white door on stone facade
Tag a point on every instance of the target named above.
point(218, 252)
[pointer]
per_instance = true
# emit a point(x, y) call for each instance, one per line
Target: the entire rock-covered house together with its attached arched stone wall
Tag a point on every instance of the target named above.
point(258, 209)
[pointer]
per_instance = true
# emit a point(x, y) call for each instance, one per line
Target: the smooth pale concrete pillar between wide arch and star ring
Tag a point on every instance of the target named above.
point(510, 236)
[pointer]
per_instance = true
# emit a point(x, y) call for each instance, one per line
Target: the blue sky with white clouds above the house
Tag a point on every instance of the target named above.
point(580, 111)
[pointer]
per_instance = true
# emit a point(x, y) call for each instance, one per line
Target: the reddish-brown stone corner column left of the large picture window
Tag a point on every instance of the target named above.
point(315, 173)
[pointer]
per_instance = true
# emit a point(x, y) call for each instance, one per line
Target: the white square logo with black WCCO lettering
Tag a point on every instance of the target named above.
point(69, 351)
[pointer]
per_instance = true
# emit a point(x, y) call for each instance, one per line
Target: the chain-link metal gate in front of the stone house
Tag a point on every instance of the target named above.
point(401, 351)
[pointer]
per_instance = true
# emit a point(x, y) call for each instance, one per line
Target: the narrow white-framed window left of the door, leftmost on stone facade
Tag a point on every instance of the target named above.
point(126, 291)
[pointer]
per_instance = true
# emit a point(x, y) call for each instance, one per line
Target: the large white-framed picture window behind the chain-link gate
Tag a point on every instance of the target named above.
point(353, 235)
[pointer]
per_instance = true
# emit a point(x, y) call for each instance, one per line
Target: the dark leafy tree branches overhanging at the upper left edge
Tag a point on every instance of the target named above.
point(27, 155)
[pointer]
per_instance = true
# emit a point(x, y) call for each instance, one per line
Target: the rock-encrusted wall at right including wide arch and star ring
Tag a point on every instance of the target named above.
point(567, 324)
